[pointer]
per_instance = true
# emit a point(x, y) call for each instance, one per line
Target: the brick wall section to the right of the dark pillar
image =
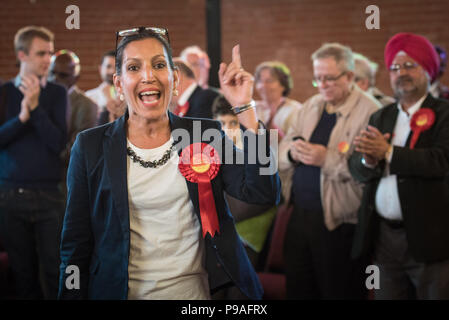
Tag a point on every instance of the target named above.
point(291, 30)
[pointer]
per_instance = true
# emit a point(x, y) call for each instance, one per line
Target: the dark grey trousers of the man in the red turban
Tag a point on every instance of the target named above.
point(401, 276)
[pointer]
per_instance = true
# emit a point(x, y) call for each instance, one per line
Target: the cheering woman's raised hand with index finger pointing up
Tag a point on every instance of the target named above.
point(236, 84)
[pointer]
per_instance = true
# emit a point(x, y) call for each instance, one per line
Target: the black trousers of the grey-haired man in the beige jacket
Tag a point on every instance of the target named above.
point(318, 261)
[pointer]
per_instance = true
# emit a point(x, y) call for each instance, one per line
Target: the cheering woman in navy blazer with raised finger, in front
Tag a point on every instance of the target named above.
point(146, 216)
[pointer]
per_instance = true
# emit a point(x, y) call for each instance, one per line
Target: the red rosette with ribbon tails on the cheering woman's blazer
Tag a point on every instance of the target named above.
point(199, 163)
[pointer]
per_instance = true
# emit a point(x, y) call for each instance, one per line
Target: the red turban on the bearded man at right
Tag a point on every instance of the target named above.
point(417, 47)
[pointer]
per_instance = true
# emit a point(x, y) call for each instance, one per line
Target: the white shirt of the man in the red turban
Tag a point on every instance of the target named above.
point(387, 197)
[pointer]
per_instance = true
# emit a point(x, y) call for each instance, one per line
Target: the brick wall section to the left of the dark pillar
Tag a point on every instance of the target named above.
point(99, 20)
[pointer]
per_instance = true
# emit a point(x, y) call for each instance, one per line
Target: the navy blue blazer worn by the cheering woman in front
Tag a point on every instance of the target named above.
point(96, 231)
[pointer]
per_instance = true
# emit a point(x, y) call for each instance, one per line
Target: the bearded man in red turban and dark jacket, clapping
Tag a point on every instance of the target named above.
point(403, 157)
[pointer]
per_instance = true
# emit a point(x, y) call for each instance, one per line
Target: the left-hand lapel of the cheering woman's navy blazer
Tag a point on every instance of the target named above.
point(114, 147)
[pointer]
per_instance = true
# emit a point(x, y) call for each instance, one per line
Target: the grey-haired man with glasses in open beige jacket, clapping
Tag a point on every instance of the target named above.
point(313, 156)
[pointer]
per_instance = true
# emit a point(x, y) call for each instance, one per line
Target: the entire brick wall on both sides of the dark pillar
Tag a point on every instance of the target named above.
point(286, 30)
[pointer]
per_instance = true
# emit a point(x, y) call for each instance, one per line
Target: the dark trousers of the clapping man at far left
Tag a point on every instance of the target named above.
point(30, 222)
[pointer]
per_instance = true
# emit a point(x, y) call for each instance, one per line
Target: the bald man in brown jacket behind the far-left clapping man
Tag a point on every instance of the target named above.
point(65, 70)
